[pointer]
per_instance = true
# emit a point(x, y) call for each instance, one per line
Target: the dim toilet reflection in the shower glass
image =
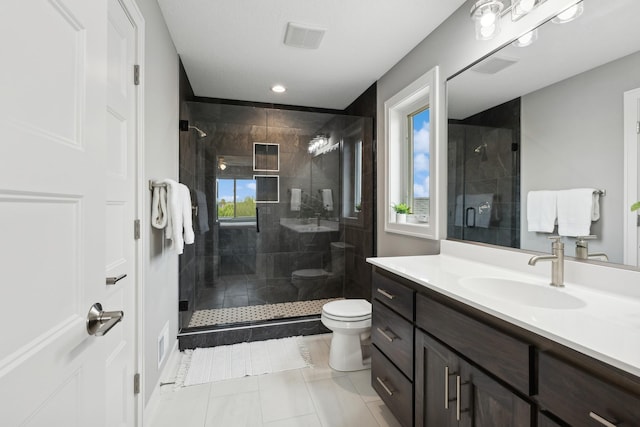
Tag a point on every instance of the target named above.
point(311, 282)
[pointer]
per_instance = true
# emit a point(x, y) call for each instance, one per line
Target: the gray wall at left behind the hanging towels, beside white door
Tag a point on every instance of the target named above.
point(160, 265)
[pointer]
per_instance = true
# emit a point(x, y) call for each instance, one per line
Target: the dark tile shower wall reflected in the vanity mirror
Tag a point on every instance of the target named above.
point(494, 169)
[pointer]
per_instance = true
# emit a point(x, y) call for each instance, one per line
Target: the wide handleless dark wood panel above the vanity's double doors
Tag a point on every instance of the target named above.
point(503, 356)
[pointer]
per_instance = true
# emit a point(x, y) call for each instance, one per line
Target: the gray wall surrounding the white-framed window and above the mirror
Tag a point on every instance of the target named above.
point(452, 46)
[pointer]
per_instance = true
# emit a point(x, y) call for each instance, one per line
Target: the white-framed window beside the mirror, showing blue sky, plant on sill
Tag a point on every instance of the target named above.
point(414, 166)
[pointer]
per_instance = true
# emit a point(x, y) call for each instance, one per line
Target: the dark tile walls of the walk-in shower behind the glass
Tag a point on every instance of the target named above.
point(235, 266)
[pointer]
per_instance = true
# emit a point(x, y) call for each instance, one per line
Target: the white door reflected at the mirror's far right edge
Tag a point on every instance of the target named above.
point(631, 176)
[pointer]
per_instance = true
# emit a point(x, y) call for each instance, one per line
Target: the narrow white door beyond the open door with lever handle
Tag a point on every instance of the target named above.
point(120, 213)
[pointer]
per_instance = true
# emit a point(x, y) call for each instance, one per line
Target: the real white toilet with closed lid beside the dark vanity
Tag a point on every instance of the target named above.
point(350, 322)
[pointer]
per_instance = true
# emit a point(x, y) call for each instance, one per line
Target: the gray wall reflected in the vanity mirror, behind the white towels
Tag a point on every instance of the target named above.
point(576, 137)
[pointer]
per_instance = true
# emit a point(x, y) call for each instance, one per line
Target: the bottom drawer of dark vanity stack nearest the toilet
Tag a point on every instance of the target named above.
point(394, 389)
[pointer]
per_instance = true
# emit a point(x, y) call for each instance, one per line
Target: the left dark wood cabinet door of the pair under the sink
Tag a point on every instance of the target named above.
point(436, 371)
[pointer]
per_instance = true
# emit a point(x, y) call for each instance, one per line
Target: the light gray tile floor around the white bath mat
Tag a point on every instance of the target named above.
point(308, 397)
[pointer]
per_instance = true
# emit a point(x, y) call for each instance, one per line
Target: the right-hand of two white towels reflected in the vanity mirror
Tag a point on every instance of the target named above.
point(576, 209)
